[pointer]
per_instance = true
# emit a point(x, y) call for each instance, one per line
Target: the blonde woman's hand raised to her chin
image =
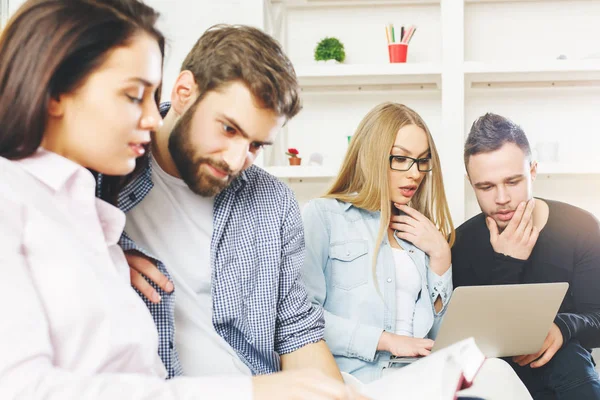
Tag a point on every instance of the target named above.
point(414, 227)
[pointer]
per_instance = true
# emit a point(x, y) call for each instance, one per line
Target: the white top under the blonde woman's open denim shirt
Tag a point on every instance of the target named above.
point(408, 286)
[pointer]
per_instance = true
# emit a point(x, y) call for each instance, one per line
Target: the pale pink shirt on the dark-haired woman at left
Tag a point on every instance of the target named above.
point(73, 328)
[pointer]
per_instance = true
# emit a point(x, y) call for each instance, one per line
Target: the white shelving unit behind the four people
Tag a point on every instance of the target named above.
point(481, 55)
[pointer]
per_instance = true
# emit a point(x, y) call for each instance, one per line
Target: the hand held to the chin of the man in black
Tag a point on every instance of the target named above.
point(520, 235)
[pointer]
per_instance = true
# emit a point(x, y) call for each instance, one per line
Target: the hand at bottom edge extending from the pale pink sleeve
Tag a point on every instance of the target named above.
point(305, 384)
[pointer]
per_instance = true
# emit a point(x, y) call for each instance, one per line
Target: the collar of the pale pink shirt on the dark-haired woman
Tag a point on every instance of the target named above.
point(64, 176)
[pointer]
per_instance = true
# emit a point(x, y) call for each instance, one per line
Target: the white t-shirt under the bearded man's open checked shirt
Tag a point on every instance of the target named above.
point(176, 225)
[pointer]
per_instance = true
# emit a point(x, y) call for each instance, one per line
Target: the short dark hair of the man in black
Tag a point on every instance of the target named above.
point(490, 132)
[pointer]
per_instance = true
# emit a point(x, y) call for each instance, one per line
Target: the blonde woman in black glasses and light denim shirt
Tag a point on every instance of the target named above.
point(378, 245)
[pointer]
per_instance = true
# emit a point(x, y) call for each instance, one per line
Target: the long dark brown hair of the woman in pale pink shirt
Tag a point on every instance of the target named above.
point(50, 47)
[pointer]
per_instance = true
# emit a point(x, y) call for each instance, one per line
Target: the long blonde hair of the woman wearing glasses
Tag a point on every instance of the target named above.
point(363, 178)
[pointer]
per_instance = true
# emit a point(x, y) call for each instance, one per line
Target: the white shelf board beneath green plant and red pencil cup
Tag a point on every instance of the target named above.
point(405, 76)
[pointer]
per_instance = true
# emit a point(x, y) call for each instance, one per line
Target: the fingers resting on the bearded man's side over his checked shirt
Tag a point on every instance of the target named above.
point(140, 265)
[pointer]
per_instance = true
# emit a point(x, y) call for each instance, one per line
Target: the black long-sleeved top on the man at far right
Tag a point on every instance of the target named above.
point(567, 250)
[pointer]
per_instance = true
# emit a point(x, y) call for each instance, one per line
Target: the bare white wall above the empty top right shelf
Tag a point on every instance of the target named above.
point(528, 30)
